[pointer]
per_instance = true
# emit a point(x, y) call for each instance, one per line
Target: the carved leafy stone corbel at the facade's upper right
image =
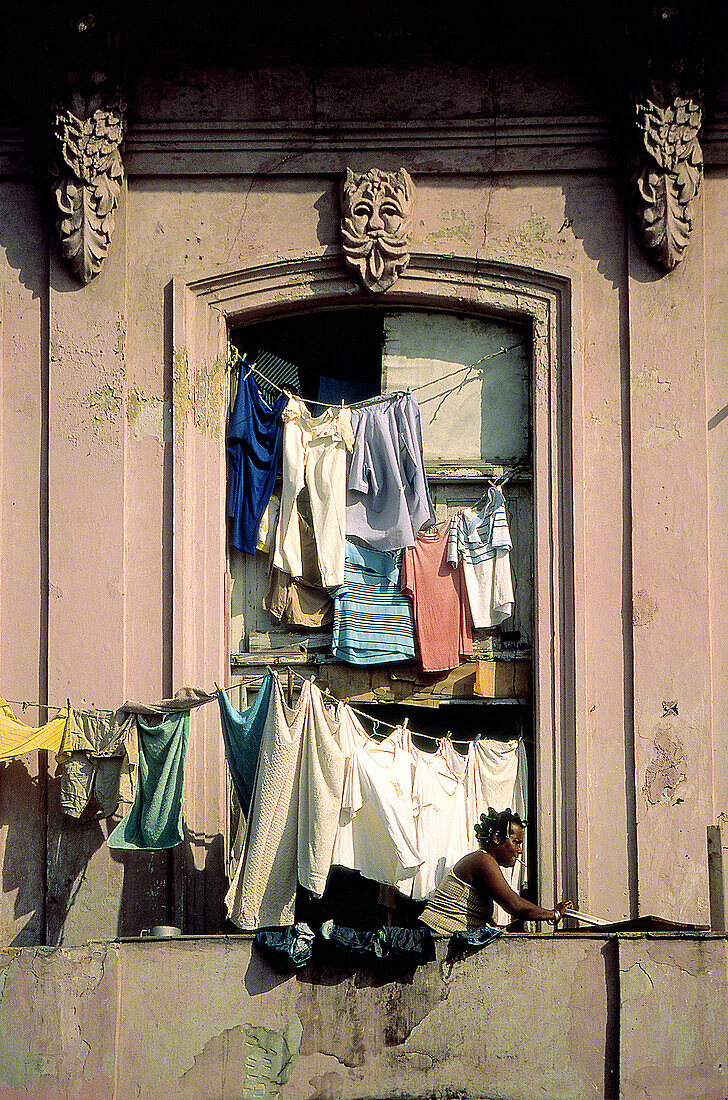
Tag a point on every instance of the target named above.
point(667, 159)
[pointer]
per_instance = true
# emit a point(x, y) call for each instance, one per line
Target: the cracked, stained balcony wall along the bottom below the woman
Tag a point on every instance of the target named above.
point(565, 1017)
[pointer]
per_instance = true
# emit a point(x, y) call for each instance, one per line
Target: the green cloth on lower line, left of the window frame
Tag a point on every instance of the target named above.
point(155, 820)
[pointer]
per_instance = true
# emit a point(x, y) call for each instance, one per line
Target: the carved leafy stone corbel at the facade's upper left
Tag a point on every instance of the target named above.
point(90, 123)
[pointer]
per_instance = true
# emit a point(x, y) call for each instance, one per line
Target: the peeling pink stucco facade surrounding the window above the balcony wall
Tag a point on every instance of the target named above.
point(116, 575)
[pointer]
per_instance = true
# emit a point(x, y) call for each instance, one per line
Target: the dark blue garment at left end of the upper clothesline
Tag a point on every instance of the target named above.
point(253, 438)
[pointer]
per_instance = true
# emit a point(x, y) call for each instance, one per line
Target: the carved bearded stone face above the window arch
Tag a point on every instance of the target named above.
point(377, 225)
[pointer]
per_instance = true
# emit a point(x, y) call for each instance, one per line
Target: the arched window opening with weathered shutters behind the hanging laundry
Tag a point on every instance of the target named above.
point(477, 431)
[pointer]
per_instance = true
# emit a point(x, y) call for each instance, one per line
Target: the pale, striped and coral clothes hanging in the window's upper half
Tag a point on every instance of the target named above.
point(385, 507)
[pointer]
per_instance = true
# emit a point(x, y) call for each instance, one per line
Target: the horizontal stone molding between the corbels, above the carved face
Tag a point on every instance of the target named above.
point(155, 150)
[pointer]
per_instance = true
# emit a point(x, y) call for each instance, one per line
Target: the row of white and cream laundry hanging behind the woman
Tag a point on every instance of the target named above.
point(376, 815)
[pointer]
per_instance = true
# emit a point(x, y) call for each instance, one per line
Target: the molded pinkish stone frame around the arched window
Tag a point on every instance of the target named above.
point(203, 313)
